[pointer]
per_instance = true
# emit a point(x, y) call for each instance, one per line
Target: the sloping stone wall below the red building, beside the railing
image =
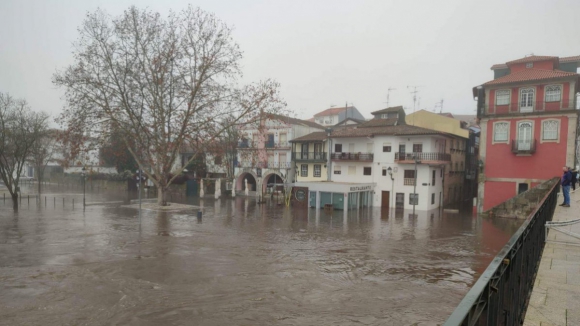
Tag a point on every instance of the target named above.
point(522, 205)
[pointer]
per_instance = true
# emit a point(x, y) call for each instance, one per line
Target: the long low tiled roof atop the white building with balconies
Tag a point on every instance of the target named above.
point(400, 130)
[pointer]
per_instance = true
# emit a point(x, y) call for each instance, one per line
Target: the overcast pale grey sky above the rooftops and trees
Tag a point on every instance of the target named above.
point(322, 52)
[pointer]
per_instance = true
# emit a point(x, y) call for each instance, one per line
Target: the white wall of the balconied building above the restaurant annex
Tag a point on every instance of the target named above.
point(429, 187)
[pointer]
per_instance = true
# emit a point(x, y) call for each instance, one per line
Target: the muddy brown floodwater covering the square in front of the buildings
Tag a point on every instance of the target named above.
point(243, 264)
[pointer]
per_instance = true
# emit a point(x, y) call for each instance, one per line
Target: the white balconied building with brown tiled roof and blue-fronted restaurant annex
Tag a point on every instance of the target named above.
point(374, 164)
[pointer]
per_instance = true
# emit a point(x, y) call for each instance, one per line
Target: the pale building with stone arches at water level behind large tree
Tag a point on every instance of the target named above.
point(265, 153)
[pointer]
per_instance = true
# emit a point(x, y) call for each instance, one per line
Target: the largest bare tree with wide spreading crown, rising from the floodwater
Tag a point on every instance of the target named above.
point(165, 83)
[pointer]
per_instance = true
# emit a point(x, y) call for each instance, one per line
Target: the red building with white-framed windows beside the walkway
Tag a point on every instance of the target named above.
point(529, 120)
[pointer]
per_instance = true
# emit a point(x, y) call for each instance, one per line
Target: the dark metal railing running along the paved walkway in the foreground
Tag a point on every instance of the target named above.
point(501, 294)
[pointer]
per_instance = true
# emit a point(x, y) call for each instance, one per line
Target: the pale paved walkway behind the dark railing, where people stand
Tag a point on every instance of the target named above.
point(555, 299)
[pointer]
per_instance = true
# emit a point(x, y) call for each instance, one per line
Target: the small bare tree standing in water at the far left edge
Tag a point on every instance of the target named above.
point(20, 129)
